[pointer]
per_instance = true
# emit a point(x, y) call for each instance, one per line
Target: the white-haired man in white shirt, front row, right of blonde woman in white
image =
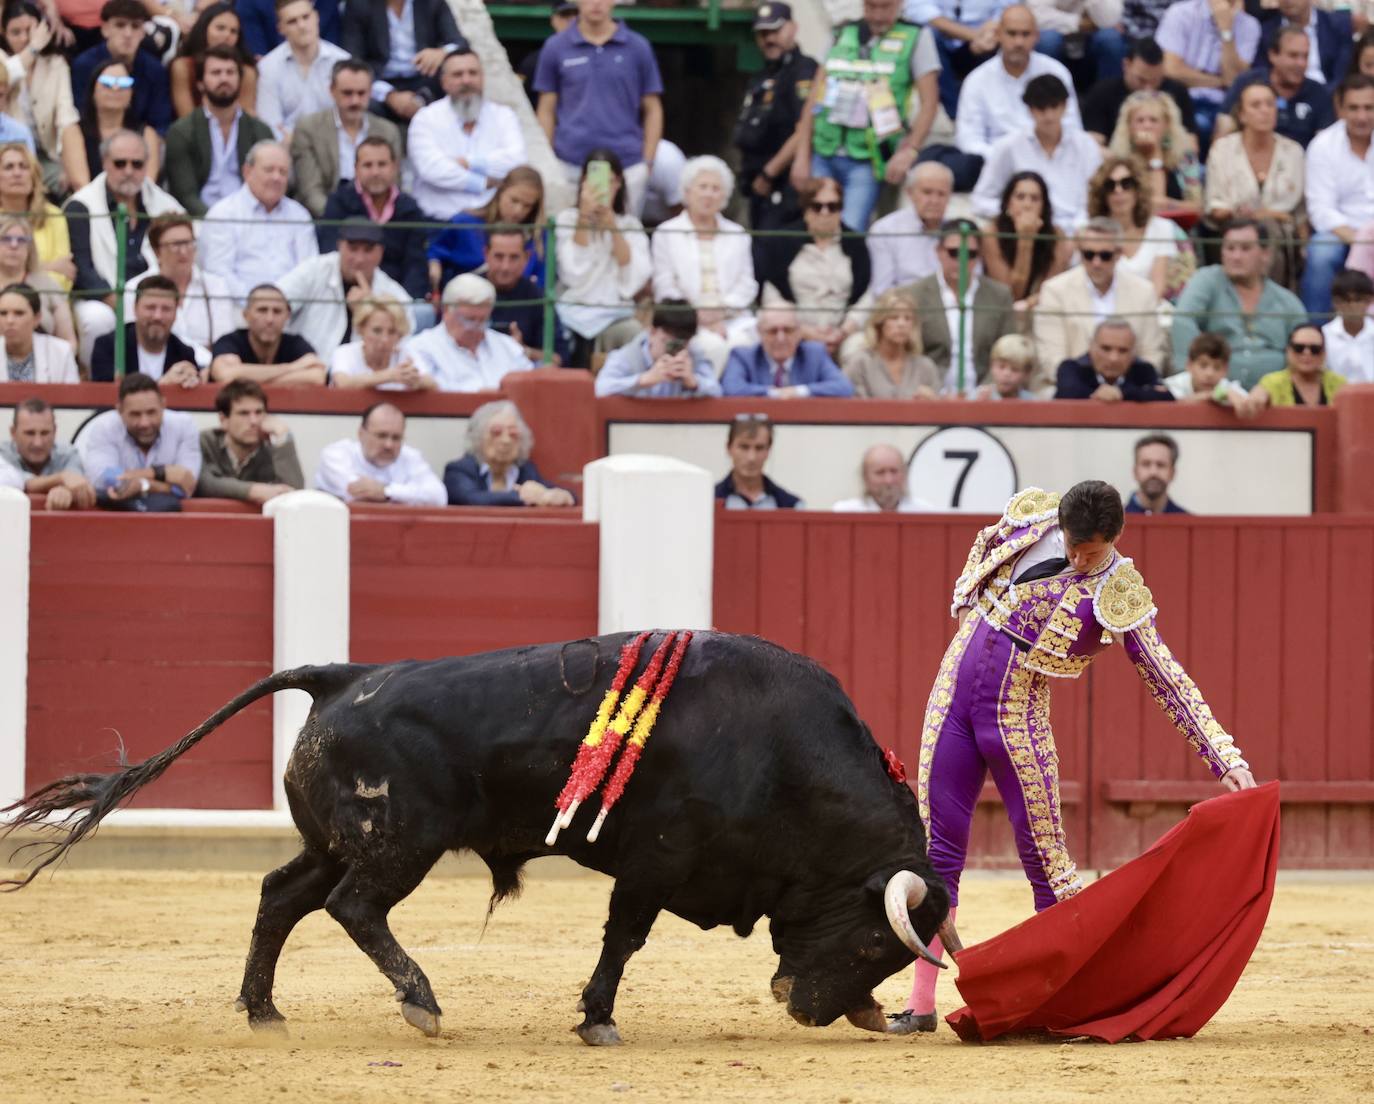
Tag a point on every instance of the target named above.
point(464, 354)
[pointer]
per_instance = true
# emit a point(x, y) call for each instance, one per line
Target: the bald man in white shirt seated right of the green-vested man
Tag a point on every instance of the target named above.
point(991, 97)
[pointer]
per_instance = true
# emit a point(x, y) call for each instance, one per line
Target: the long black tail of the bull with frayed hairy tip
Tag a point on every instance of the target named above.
point(90, 798)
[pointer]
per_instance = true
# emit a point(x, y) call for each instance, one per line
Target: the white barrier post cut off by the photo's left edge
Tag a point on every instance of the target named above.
point(14, 641)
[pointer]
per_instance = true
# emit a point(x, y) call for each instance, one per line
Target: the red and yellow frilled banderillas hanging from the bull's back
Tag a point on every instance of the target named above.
point(604, 736)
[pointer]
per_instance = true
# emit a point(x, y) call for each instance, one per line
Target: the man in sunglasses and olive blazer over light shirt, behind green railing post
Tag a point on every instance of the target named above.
point(984, 311)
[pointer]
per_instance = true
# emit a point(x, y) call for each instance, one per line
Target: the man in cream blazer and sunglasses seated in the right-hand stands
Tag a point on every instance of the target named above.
point(1075, 302)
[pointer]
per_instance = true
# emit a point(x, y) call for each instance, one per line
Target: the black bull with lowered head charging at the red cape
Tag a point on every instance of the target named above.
point(761, 794)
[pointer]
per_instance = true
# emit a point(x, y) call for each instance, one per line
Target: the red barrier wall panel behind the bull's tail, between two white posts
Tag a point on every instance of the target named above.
point(139, 628)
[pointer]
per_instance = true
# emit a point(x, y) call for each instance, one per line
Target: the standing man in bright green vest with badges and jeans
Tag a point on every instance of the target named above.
point(858, 127)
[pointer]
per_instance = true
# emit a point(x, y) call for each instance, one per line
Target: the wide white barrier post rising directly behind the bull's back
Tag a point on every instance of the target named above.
point(657, 542)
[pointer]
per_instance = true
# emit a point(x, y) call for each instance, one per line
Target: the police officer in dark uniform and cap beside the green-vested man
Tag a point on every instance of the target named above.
point(766, 131)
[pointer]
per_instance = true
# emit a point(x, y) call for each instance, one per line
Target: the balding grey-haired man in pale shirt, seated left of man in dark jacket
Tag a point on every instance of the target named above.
point(256, 234)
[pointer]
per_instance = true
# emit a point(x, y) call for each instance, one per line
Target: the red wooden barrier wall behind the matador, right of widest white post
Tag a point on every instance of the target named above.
point(1273, 618)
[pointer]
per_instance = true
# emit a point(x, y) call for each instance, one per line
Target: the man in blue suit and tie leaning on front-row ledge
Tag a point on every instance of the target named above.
point(784, 366)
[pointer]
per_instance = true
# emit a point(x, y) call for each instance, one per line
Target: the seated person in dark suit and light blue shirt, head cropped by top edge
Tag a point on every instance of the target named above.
point(405, 61)
